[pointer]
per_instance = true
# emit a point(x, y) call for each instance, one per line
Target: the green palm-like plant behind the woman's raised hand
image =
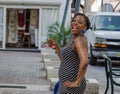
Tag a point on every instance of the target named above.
point(59, 33)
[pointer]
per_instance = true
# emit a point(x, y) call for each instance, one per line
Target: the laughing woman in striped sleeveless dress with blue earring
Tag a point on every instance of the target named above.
point(74, 58)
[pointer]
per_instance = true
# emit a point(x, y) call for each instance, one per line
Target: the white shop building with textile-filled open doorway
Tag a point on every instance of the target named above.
point(33, 16)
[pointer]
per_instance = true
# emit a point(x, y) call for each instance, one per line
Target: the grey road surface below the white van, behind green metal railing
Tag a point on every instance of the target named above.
point(98, 72)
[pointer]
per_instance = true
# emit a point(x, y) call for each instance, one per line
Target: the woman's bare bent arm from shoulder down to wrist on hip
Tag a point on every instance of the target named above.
point(81, 48)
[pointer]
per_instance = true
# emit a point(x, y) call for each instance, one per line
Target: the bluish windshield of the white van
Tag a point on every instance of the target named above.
point(107, 23)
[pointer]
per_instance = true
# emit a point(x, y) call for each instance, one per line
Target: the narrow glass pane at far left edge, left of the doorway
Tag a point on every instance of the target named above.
point(1, 26)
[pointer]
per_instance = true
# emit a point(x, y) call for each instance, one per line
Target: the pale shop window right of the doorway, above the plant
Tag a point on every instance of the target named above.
point(49, 16)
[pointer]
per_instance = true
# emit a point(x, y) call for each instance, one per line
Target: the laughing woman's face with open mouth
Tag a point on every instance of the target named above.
point(78, 24)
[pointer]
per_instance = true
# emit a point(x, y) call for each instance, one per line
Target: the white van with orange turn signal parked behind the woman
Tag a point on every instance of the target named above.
point(104, 36)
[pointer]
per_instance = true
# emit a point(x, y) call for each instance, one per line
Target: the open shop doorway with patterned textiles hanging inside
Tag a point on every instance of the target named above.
point(22, 28)
